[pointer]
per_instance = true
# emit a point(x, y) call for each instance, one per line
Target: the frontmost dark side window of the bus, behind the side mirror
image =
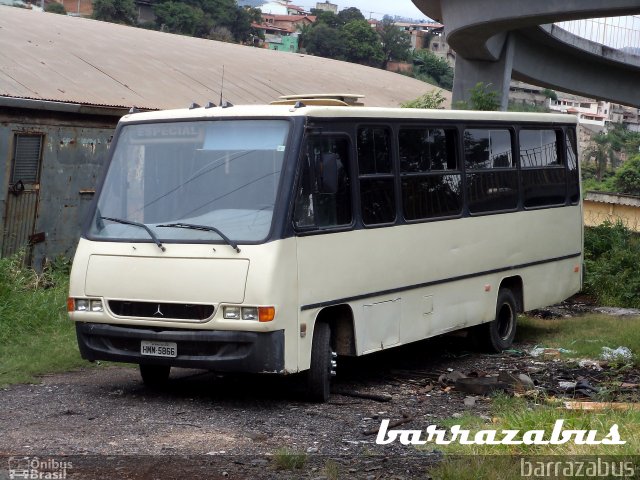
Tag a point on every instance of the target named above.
point(323, 198)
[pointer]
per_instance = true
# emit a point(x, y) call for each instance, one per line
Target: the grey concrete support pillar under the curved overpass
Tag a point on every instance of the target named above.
point(495, 74)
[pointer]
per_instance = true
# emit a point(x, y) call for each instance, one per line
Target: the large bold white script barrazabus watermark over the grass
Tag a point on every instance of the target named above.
point(558, 436)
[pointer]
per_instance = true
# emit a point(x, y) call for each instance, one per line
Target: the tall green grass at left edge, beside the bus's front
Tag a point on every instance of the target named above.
point(36, 336)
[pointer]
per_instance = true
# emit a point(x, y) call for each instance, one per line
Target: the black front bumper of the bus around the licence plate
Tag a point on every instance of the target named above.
point(220, 350)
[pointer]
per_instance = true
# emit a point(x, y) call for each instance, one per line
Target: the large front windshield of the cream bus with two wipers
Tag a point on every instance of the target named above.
point(192, 181)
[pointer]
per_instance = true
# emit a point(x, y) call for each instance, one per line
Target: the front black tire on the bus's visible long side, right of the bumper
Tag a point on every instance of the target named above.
point(319, 374)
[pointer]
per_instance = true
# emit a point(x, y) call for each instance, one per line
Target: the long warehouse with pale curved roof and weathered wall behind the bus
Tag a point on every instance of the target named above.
point(65, 81)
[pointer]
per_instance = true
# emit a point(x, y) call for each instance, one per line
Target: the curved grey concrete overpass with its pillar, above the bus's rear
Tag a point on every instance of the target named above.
point(497, 40)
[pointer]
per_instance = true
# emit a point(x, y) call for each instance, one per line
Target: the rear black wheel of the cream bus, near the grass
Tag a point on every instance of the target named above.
point(498, 334)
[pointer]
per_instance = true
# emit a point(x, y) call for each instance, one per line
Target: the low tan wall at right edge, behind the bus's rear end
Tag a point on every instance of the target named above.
point(599, 207)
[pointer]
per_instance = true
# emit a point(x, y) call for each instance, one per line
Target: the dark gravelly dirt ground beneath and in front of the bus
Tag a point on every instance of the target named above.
point(105, 424)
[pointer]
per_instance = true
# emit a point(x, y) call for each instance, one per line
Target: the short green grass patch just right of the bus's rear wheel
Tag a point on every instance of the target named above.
point(584, 336)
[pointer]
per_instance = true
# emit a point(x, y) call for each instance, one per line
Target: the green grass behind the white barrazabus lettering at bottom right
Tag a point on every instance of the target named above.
point(503, 462)
